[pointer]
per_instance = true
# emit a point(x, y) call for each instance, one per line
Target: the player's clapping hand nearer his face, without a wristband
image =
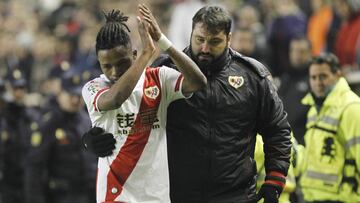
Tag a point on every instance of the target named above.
point(146, 39)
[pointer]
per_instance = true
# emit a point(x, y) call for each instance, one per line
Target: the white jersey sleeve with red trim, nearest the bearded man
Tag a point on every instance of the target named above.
point(172, 83)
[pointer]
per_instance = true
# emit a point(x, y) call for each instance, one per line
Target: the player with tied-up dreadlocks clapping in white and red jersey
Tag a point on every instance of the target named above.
point(130, 101)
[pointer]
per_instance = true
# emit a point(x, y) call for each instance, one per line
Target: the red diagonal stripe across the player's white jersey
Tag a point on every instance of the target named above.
point(125, 161)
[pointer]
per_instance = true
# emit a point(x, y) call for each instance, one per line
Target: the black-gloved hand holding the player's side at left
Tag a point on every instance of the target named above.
point(99, 142)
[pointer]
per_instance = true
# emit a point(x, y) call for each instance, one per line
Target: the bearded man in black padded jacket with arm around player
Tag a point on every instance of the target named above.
point(211, 136)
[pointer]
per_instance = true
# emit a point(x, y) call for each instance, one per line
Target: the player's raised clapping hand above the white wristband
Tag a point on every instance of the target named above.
point(154, 28)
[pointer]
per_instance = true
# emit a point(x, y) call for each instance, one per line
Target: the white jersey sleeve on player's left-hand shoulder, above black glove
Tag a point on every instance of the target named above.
point(91, 93)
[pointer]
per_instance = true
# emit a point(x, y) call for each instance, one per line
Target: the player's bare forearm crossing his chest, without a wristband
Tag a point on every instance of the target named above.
point(123, 87)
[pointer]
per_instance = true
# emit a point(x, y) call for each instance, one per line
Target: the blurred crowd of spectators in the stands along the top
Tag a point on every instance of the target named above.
point(40, 35)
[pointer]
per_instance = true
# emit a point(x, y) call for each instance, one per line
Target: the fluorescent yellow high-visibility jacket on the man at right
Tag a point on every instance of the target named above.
point(329, 170)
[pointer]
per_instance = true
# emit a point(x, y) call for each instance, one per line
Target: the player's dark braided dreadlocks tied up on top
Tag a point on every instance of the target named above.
point(114, 33)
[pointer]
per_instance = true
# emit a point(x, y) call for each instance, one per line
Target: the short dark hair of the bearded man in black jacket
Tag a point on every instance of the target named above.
point(215, 18)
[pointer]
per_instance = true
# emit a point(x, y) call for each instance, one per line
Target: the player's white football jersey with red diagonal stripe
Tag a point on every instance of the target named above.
point(138, 169)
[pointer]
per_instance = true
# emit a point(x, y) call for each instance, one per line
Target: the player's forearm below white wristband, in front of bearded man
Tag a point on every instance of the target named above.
point(193, 77)
